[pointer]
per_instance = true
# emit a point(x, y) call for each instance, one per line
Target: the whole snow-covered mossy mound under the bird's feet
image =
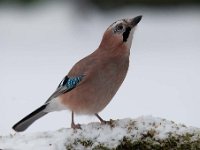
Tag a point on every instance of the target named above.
point(147, 131)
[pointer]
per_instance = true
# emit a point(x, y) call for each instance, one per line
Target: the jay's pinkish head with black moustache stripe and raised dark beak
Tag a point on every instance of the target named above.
point(120, 33)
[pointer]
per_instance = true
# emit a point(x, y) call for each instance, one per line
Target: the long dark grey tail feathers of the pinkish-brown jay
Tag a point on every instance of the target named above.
point(28, 120)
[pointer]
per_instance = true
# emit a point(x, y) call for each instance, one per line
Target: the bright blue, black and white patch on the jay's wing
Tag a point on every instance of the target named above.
point(70, 82)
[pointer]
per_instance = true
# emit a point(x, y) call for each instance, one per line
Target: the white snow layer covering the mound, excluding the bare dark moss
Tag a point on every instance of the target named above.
point(94, 134)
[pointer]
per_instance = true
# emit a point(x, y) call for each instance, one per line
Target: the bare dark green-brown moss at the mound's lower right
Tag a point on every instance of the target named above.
point(184, 142)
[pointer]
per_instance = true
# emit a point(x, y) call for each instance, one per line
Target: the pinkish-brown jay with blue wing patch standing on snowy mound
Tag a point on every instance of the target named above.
point(94, 80)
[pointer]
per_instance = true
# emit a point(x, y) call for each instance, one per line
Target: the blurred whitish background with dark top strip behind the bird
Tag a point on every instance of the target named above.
point(40, 40)
